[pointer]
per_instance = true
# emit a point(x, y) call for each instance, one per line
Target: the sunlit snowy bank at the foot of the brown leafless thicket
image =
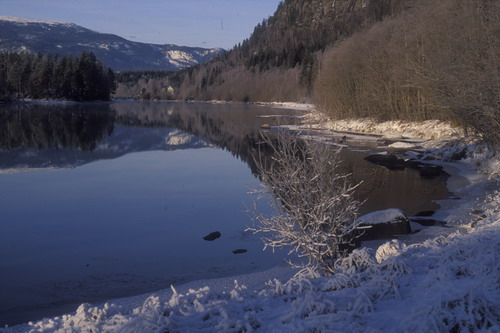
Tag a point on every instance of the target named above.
point(440, 140)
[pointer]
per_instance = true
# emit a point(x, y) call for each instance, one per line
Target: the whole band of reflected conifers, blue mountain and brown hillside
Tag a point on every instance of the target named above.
point(60, 136)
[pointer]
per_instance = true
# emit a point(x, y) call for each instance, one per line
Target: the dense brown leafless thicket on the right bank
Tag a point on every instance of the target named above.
point(437, 60)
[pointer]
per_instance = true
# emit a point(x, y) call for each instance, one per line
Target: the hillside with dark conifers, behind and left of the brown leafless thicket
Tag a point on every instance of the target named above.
point(278, 62)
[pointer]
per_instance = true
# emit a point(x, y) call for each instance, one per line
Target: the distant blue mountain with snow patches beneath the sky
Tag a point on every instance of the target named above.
point(17, 34)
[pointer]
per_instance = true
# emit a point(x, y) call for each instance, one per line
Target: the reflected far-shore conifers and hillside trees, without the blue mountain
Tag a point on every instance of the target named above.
point(83, 126)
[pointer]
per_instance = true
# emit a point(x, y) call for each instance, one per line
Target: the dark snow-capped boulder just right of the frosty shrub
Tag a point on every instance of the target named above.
point(383, 224)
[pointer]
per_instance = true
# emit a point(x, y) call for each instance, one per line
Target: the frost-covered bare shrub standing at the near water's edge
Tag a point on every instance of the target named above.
point(314, 210)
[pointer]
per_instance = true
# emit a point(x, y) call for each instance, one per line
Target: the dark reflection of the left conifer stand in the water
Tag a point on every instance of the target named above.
point(79, 126)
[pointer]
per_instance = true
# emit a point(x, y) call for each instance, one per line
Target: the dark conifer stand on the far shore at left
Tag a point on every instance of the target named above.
point(46, 76)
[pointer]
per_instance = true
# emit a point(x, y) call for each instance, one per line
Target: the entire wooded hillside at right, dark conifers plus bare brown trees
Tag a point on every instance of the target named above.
point(385, 59)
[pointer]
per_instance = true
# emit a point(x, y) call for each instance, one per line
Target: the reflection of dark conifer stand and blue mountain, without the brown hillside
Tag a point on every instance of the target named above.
point(65, 136)
